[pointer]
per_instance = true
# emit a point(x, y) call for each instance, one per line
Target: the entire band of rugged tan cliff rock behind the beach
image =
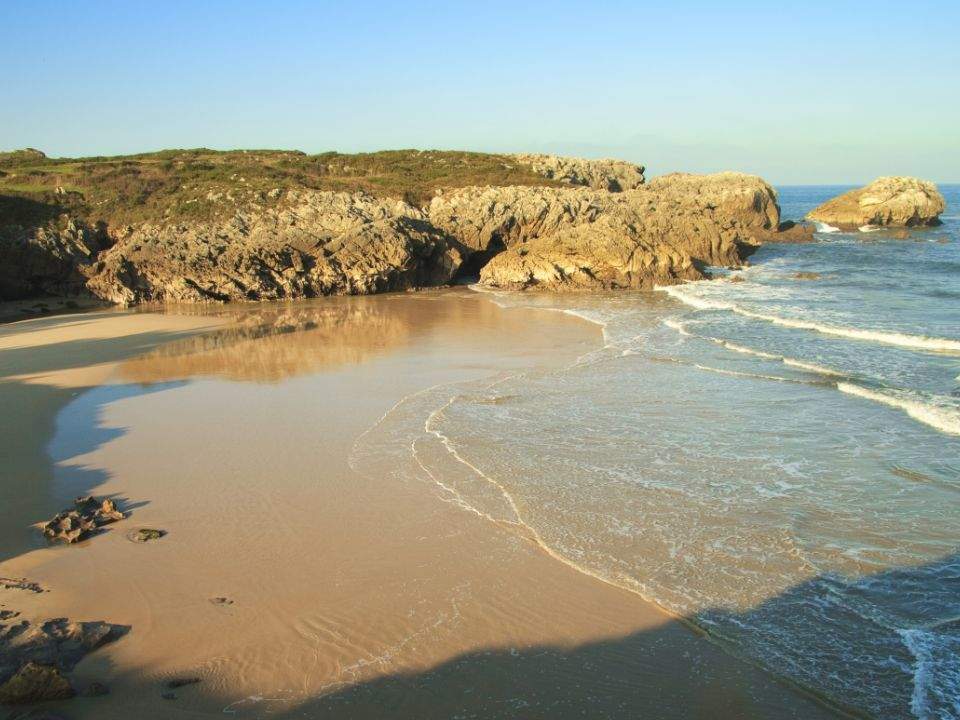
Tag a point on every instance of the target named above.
point(306, 243)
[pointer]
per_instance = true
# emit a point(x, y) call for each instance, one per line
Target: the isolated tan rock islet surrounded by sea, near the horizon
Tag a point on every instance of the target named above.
point(887, 201)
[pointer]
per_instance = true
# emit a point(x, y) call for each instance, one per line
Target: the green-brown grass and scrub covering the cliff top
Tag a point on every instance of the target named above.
point(177, 185)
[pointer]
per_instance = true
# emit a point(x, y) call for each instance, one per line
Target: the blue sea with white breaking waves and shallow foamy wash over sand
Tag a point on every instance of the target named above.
point(776, 458)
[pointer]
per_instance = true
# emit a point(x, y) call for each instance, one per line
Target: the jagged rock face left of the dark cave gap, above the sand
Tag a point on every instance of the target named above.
point(316, 243)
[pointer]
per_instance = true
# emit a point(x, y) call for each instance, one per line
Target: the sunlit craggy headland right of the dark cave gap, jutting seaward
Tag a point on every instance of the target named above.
point(662, 233)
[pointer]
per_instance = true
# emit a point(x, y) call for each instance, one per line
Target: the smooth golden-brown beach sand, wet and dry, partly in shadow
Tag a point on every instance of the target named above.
point(348, 594)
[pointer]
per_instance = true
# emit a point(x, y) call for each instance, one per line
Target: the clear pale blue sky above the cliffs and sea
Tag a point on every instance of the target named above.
point(797, 91)
